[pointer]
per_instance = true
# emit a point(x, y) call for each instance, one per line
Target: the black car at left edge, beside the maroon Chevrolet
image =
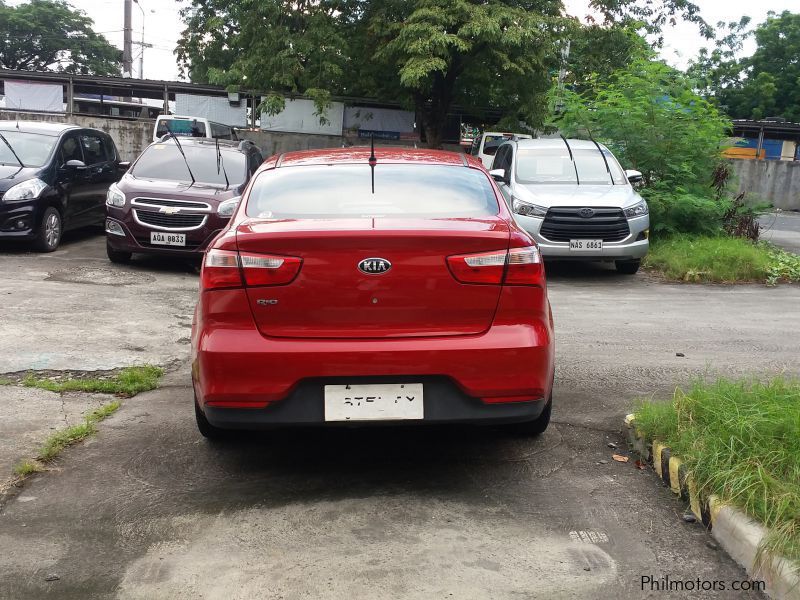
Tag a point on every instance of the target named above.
point(53, 177)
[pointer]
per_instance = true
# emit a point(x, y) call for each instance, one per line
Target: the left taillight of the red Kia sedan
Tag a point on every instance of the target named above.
point(229, 269)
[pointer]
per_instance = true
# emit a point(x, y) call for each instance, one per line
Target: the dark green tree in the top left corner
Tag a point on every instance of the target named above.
point(49, 35)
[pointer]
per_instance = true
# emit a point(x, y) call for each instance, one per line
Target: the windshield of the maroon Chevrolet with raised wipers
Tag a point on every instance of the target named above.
point(164, 161)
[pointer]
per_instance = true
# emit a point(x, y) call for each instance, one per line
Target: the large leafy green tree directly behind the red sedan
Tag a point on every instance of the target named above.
point(429, 55)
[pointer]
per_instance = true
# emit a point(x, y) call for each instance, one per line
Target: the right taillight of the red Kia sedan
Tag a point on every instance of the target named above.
point(517, 266)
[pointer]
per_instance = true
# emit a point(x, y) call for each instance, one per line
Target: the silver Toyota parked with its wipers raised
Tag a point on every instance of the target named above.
point(575, 200)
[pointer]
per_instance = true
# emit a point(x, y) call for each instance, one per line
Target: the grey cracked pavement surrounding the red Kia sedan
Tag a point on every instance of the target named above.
point(148, 509)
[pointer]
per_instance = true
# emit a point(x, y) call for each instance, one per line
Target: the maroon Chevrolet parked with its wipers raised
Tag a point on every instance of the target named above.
point(177, 196)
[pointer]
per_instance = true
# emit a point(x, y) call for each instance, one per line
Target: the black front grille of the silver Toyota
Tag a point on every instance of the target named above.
point(564, 223)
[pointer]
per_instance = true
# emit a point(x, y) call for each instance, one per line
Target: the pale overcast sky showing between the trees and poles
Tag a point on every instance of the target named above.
point(163, 26)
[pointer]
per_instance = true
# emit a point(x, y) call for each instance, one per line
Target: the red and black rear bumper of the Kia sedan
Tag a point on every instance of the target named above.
point(243, 379)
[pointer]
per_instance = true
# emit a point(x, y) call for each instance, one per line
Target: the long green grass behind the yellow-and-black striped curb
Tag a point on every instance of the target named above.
point(741, 441)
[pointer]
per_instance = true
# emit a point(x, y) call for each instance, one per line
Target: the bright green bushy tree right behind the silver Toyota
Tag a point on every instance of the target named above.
point(650, 116)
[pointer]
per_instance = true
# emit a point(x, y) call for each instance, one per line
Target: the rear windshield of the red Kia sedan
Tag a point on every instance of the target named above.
point(401, 190)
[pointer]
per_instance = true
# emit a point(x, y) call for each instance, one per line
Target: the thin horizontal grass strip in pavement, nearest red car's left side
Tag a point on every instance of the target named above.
point(127, 382)
